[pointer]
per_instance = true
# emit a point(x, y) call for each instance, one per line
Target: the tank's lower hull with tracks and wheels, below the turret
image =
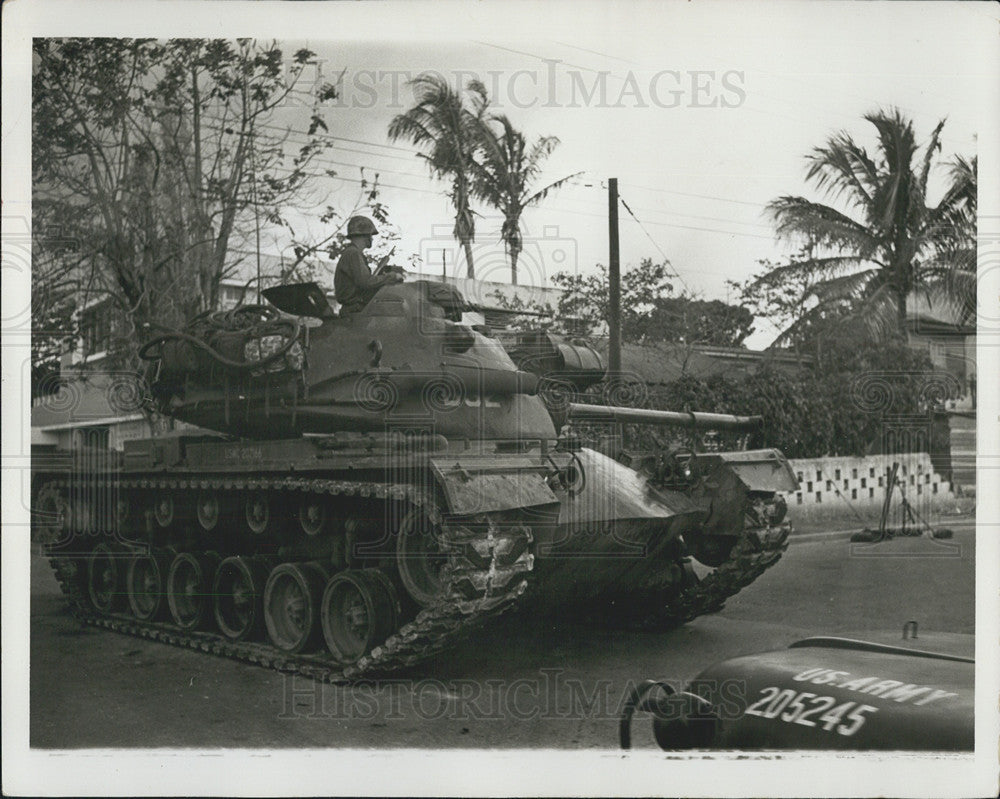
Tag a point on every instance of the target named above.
point(493, 529)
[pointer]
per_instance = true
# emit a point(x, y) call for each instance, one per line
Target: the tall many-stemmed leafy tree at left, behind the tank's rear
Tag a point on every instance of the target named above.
point(156, 156)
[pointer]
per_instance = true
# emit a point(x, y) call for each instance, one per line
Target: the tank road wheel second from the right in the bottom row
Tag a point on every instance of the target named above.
point(291, 606)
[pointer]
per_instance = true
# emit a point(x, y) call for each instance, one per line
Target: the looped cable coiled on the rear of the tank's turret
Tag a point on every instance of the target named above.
point(257, 321)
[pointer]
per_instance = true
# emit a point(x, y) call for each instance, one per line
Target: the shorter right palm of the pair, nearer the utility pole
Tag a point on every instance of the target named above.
point(504, 174)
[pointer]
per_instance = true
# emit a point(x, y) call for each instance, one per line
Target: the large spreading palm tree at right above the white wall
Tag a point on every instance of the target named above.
point(890, 242)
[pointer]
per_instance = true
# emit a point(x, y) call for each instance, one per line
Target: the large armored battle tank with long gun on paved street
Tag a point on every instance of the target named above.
point(356, 493)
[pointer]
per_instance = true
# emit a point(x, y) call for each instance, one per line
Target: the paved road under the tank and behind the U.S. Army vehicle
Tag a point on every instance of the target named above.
point(519, 684)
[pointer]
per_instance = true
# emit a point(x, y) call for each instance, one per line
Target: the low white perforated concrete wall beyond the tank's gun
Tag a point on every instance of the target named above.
point(853, 489)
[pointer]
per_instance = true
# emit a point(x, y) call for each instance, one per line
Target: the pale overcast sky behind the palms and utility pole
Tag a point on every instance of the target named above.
point(704, 113)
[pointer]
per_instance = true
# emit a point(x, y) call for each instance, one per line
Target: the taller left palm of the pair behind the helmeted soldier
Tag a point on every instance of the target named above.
point(442, 123)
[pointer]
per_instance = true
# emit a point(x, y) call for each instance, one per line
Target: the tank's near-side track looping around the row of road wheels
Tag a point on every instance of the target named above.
point(433, 630)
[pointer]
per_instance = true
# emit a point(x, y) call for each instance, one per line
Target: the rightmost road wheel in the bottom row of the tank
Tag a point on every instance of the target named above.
point(358, 612)
